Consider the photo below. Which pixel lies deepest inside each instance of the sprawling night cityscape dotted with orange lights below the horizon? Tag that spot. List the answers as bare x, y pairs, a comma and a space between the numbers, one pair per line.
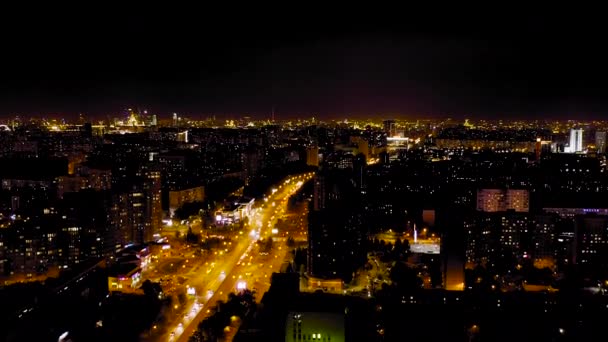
395, 213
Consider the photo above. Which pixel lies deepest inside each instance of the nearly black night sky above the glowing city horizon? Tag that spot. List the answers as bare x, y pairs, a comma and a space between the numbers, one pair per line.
386, 62
